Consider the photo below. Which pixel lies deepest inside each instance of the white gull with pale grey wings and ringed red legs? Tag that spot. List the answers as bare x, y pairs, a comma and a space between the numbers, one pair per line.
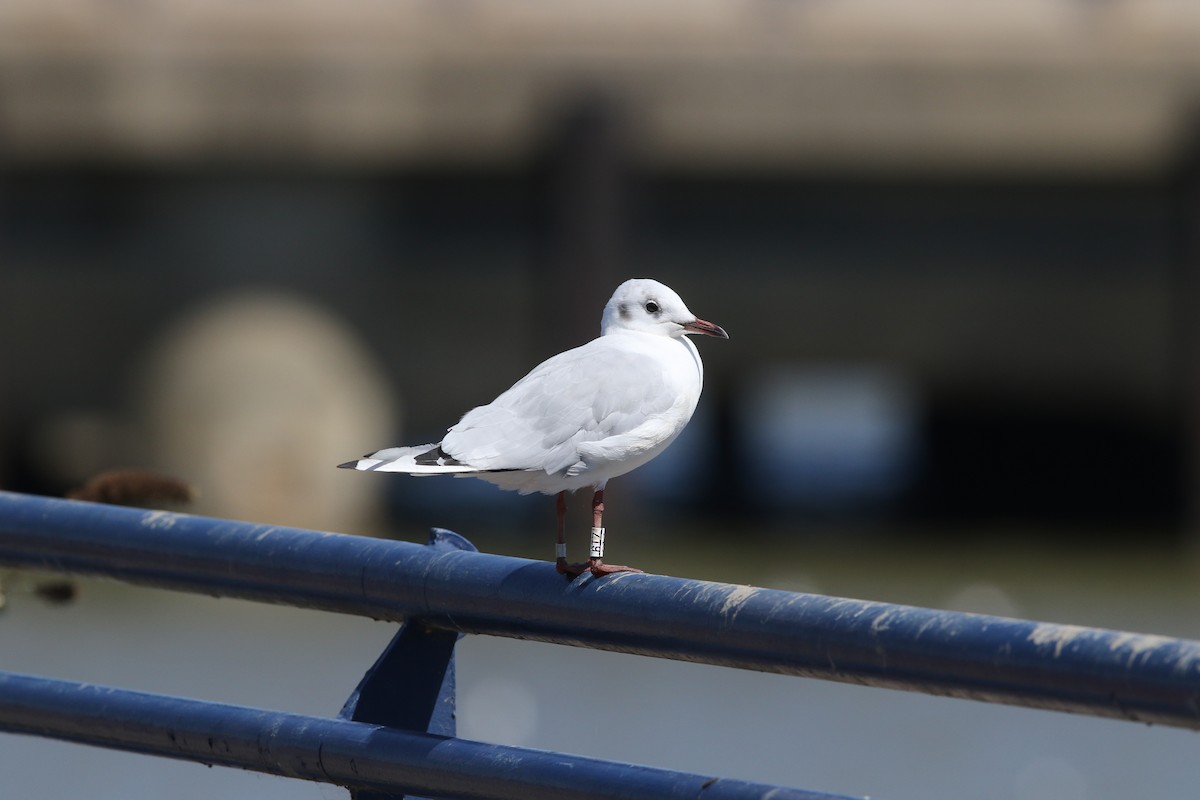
580, 418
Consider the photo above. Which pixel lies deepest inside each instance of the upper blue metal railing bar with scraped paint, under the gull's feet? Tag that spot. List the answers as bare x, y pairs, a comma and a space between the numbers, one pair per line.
1041, 665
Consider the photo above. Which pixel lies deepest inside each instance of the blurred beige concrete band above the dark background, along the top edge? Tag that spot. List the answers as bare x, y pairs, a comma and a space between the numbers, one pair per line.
863, 85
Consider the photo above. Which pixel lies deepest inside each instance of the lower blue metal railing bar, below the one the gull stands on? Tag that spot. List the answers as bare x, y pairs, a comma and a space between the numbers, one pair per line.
353, 755
